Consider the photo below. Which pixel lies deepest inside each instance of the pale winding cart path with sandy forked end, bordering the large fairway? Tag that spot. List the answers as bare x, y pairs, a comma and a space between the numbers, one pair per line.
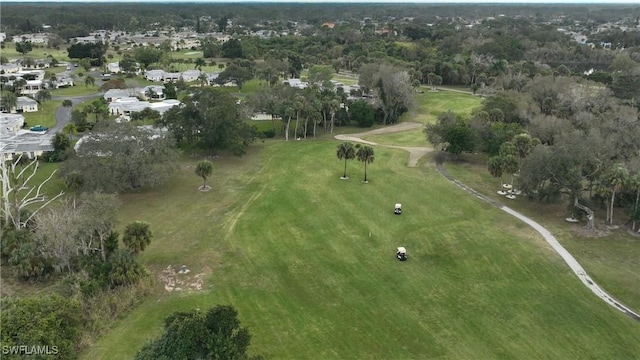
415, 153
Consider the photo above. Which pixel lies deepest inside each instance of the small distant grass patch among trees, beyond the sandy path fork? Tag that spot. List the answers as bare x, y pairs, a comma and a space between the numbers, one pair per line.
432, 104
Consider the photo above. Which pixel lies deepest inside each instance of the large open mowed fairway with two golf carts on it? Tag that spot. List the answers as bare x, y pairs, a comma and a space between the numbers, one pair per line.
309, 262
